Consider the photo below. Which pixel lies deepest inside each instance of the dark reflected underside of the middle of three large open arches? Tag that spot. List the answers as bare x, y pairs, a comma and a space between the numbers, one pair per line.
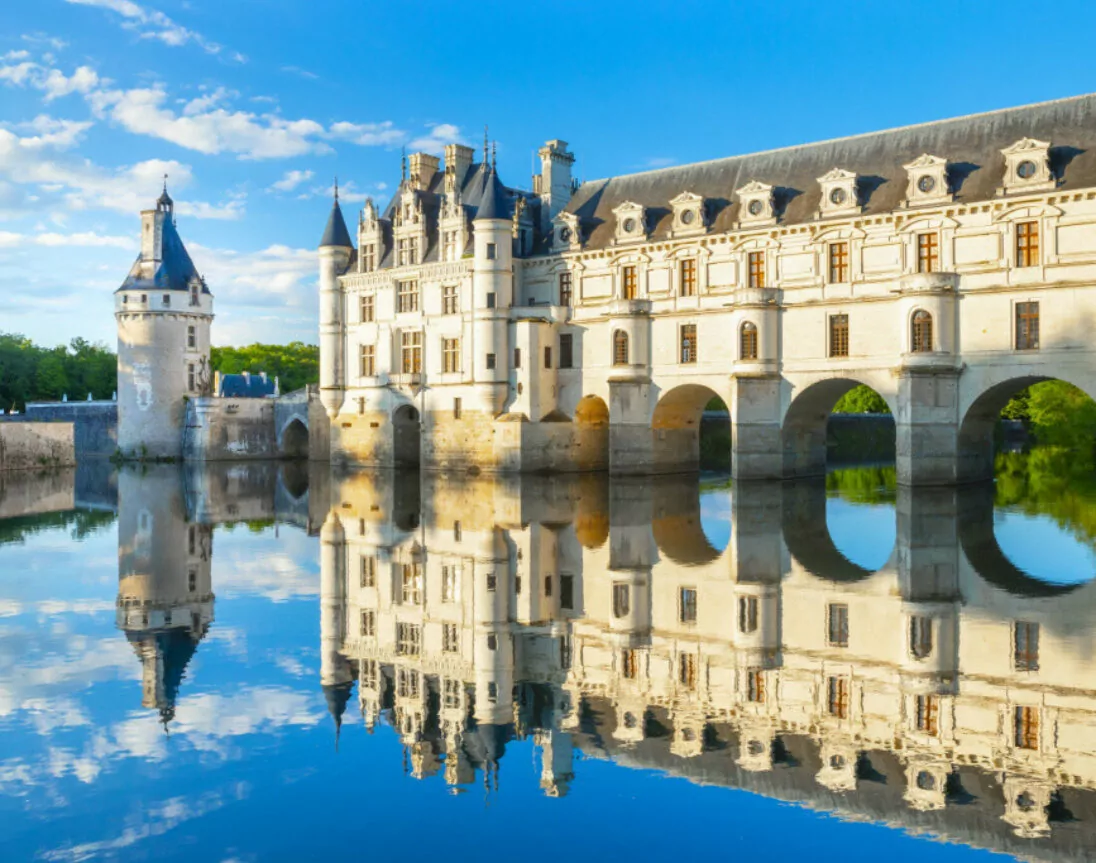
808, 539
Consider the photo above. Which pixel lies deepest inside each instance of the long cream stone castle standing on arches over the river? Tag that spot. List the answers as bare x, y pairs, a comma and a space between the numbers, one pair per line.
577, 326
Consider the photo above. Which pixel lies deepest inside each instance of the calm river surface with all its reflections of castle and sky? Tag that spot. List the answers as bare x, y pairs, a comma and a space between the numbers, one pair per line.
269, 663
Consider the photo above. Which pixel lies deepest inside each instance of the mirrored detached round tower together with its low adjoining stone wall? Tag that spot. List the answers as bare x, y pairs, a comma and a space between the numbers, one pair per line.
166, 518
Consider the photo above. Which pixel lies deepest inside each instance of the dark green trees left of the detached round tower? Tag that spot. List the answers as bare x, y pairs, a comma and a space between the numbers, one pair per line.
29, 372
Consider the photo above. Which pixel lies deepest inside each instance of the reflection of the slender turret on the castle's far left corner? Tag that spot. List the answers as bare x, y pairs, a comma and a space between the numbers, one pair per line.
336, 674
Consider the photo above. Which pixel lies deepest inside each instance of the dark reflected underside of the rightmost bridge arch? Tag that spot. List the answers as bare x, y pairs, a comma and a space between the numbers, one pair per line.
979, 542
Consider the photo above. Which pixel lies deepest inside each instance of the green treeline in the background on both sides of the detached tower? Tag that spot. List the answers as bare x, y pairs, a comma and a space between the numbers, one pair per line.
32, 373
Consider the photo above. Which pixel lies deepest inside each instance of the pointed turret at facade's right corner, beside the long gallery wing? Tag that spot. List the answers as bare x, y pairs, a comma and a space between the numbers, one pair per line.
493, 288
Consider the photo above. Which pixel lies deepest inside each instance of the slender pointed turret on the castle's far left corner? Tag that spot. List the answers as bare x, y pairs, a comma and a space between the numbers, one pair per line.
336, 252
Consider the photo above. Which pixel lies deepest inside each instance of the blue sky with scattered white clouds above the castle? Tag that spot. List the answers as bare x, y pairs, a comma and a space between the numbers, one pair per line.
254, 107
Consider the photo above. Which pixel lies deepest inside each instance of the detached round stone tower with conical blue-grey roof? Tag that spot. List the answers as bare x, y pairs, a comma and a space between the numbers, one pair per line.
164, 312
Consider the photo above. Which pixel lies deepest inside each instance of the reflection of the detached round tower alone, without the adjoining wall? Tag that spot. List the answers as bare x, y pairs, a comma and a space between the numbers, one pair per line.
166, 598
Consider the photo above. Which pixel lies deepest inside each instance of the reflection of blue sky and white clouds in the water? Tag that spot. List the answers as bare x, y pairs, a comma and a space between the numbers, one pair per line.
249, 771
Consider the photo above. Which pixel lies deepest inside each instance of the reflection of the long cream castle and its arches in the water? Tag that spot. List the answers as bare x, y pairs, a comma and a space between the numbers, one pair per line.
945, 692
